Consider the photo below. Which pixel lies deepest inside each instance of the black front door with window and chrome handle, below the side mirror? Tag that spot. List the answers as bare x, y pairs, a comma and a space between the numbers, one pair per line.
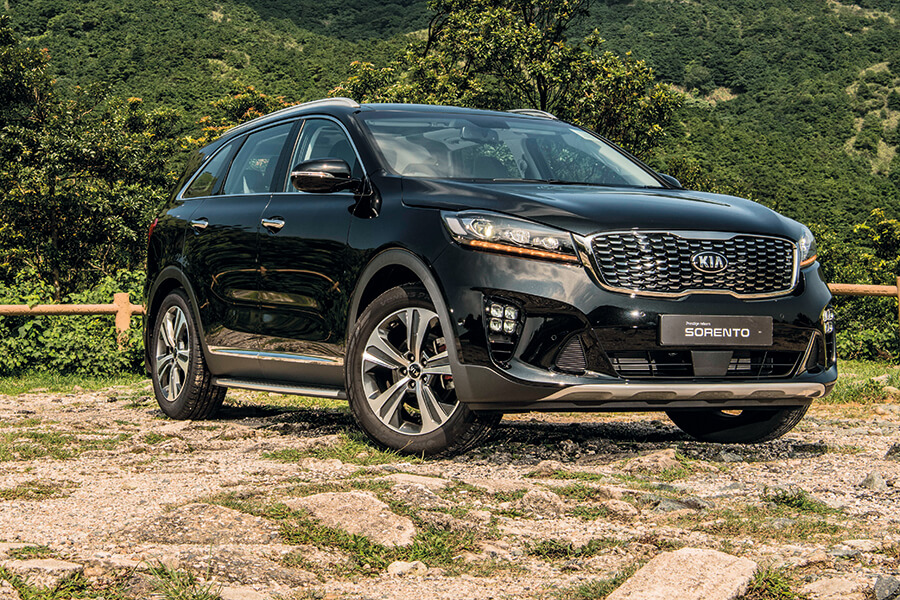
303, 256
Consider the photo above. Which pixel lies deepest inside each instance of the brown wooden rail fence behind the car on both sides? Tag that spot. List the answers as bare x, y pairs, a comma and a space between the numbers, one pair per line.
123, 309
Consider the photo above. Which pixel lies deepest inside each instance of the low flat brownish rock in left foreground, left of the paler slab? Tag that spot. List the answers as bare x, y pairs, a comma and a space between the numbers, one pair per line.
205, 524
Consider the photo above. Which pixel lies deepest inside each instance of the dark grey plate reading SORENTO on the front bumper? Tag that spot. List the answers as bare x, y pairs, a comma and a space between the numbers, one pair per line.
714, 331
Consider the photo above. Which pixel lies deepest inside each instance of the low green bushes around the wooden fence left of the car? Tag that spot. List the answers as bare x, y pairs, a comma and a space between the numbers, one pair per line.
83, 345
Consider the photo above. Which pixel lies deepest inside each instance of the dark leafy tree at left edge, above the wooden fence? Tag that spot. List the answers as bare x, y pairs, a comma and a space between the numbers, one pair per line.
81, 178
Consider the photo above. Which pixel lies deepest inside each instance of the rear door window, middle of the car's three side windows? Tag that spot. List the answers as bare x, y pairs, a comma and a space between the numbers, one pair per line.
254, 166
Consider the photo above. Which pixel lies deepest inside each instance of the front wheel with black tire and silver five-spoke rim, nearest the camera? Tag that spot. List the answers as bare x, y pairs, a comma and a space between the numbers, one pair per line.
381, 371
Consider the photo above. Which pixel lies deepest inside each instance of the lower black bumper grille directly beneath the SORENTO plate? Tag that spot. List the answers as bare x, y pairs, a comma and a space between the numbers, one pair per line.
744, 364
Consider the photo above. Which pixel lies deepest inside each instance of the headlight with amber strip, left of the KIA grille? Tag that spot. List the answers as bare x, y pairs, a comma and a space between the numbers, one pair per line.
493, 232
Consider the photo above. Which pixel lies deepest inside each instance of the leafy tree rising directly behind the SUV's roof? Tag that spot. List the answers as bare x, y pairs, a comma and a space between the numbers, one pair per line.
502, 54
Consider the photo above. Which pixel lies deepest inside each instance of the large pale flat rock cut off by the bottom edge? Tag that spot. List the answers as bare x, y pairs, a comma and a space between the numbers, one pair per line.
689, 574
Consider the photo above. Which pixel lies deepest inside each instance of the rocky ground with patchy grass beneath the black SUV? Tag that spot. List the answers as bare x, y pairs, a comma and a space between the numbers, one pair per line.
100, 496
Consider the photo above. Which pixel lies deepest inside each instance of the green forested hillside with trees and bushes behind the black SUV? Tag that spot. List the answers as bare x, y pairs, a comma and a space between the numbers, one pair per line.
793, 103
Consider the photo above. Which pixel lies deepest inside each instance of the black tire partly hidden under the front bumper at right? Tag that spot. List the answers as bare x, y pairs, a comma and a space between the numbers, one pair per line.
749, 426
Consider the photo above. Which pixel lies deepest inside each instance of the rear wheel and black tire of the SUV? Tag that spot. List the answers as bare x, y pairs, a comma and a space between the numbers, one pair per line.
181, 381
